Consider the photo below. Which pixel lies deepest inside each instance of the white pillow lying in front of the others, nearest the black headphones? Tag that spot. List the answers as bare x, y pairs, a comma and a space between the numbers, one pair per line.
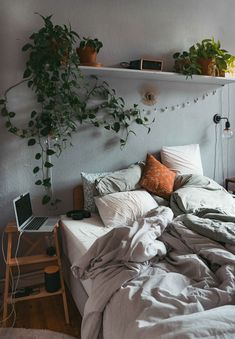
123, 208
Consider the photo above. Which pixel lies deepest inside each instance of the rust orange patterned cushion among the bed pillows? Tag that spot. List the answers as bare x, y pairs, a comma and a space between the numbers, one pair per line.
157, 178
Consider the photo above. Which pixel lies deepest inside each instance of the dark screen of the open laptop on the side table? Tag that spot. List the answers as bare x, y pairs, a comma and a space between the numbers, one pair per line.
23, 209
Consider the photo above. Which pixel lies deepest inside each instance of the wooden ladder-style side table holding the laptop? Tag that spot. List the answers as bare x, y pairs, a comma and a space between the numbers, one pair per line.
11, 231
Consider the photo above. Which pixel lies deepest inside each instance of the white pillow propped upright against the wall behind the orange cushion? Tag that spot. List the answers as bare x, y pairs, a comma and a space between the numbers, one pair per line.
183, 159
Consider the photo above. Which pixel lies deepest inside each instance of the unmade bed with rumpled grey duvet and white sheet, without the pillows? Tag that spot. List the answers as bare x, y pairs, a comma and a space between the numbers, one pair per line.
169, 274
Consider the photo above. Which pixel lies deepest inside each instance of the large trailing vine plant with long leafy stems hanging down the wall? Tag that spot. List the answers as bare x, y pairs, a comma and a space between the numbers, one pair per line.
63, 98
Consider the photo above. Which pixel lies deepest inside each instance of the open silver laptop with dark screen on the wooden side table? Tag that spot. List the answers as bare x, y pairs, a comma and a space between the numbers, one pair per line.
25, 219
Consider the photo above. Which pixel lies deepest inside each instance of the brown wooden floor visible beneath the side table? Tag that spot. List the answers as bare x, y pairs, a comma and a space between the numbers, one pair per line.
48, 313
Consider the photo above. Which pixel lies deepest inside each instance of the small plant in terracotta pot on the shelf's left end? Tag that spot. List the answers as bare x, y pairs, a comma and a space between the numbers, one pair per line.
88, 50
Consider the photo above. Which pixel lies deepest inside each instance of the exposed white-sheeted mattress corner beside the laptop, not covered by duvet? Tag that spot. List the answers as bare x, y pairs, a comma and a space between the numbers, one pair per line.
78, 236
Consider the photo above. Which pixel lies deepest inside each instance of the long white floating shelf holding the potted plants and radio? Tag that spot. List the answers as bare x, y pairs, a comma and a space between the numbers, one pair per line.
124, 73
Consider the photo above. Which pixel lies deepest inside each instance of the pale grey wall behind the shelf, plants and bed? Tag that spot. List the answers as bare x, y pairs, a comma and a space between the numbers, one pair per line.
129, 29
